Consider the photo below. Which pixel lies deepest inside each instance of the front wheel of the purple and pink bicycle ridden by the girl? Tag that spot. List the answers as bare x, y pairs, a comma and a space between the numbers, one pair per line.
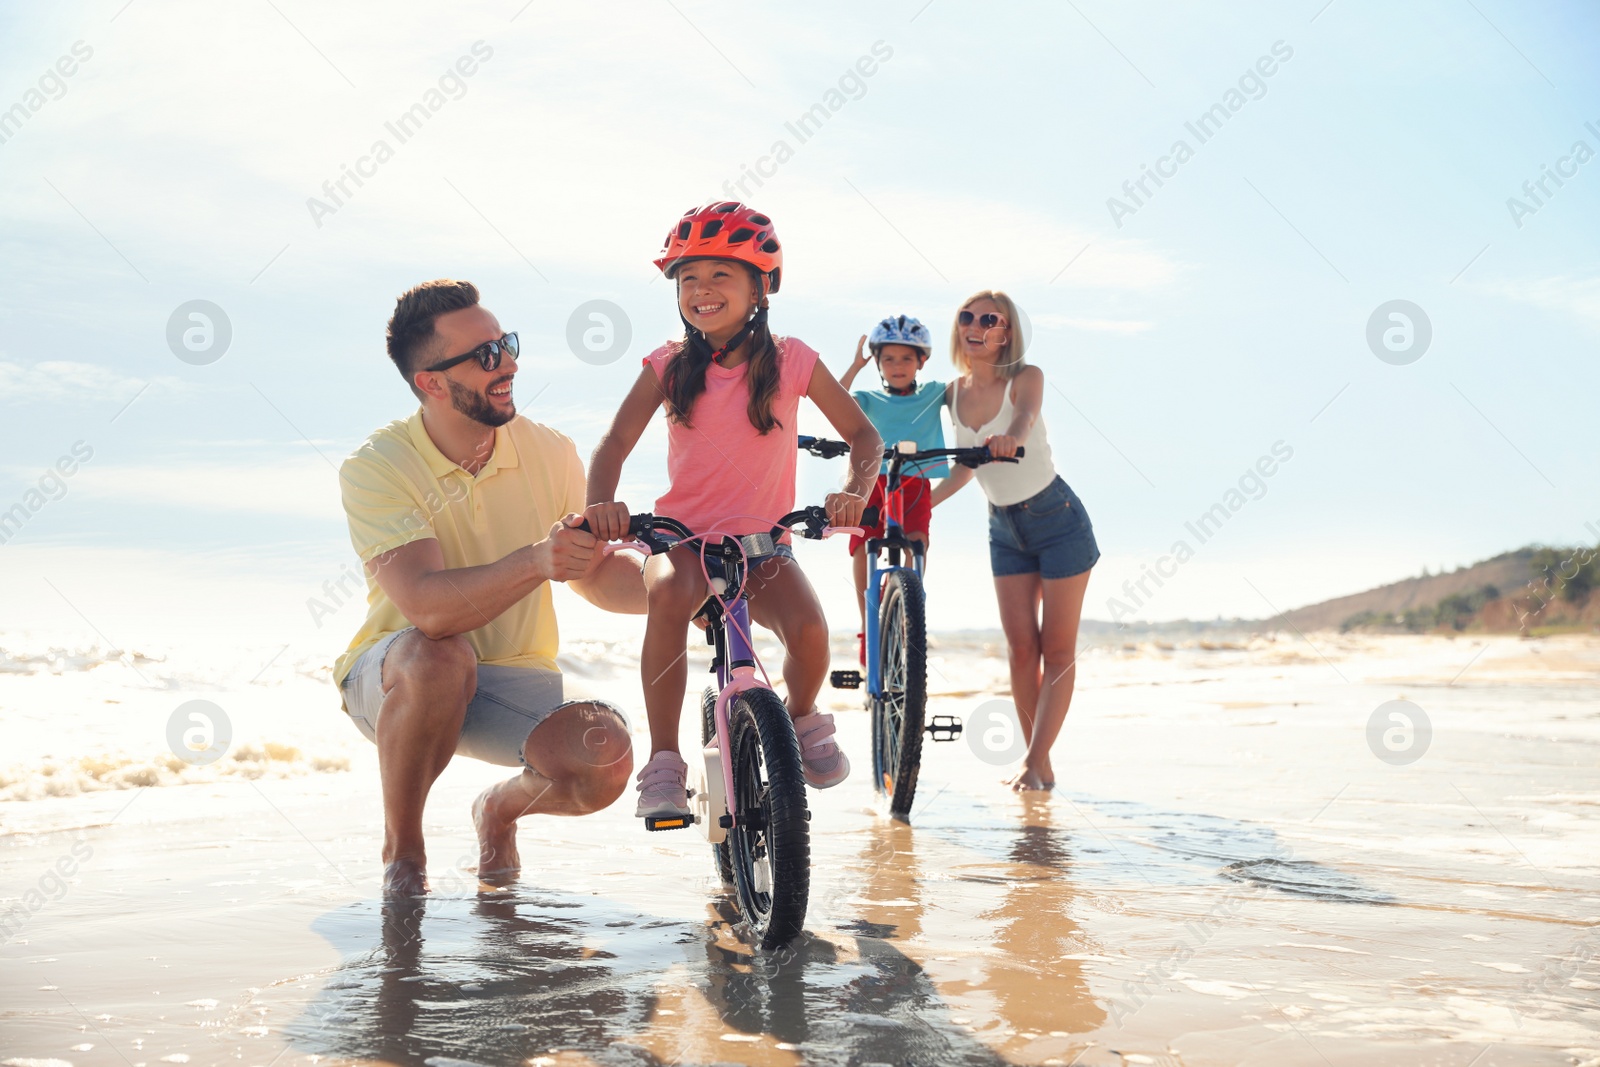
770, 845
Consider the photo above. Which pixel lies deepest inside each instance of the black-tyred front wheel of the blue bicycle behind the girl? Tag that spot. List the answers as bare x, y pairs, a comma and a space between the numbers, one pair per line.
903, 676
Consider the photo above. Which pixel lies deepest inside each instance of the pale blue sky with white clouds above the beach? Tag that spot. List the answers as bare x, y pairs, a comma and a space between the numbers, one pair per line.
1358, 154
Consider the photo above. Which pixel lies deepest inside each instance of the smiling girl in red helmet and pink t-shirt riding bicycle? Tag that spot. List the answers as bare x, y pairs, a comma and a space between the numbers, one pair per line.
732, 394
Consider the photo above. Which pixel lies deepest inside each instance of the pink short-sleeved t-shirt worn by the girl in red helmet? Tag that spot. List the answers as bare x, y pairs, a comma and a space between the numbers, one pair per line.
722, 470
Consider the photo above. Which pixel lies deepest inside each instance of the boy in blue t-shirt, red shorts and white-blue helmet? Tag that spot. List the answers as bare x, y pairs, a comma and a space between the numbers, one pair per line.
905, 410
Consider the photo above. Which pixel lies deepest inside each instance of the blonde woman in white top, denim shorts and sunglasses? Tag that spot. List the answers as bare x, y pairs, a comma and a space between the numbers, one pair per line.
1041, 541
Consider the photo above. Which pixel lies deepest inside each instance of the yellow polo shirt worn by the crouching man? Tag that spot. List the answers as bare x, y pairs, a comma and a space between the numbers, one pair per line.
399, 489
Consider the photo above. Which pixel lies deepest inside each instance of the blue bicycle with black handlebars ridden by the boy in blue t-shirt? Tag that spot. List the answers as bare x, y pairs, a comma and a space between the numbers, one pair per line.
897, 641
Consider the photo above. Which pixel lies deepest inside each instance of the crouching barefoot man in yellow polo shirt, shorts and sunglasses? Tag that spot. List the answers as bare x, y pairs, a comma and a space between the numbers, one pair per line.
458, 650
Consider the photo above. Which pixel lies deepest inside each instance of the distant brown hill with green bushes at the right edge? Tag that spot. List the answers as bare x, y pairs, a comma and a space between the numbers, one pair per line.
1535, 588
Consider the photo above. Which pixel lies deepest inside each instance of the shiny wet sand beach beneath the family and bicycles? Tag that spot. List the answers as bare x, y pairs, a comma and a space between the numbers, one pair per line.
1228, 874
